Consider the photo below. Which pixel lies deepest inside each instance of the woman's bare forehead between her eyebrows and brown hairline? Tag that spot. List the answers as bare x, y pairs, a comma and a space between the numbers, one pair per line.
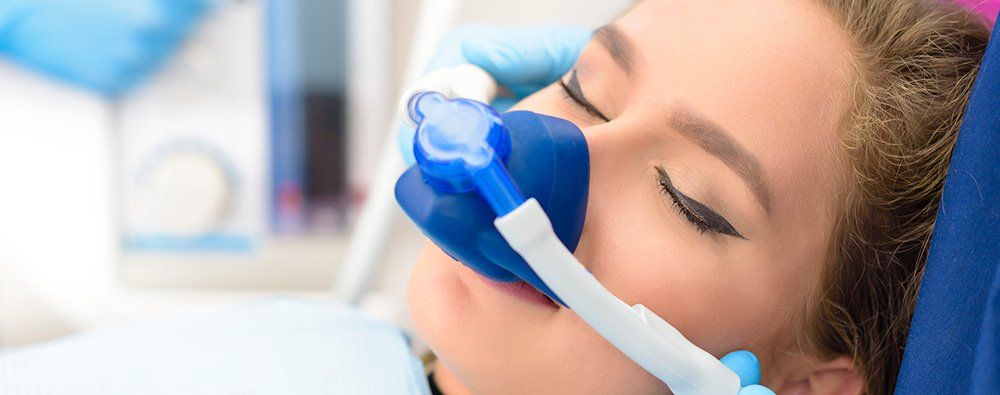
773, 73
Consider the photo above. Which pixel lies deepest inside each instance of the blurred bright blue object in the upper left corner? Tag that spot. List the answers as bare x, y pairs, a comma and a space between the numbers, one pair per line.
103, 45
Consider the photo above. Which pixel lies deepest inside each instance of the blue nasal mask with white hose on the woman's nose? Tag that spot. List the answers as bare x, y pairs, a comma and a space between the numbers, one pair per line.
463, 146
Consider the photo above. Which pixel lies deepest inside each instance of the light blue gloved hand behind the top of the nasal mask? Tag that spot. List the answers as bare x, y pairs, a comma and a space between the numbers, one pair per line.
522, 60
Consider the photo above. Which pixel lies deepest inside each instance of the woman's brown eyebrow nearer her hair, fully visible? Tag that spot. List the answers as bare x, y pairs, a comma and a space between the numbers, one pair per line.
720, 144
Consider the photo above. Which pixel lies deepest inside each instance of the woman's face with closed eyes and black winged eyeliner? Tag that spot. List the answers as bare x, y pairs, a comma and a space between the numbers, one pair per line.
712, 128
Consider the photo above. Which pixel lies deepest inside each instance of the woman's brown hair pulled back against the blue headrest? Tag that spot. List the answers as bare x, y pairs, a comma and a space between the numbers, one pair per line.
915, 63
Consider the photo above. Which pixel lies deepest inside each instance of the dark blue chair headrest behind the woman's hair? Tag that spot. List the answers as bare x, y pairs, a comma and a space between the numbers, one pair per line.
954, 341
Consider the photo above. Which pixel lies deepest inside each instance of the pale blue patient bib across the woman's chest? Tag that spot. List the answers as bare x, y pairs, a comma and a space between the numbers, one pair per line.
279, 346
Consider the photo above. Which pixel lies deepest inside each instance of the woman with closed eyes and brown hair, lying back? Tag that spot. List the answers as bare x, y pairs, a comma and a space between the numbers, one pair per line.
764, 176
